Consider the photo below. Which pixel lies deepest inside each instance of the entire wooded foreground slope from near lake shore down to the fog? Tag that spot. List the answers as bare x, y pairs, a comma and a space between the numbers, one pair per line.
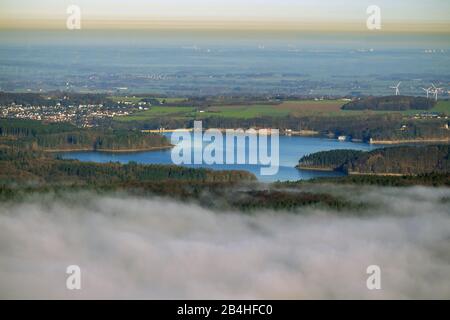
31, 172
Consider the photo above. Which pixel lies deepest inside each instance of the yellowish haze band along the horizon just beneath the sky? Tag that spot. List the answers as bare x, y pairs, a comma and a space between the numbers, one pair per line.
226, 25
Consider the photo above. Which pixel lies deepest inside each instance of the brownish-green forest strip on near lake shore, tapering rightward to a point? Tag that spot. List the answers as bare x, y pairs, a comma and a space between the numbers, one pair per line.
41, 168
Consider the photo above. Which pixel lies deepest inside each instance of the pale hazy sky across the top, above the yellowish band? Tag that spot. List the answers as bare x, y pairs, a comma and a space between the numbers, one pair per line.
43, 13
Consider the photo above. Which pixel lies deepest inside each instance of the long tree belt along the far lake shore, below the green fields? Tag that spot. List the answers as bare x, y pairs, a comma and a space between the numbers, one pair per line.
379, 127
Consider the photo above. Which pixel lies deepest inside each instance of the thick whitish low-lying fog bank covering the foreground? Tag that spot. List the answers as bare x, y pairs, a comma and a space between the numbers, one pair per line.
154, 248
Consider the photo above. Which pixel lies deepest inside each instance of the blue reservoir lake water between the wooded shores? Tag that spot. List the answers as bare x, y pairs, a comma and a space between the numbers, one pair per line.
291, 149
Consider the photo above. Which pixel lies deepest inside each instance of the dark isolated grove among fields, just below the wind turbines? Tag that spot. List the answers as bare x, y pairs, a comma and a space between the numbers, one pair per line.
391, 103
